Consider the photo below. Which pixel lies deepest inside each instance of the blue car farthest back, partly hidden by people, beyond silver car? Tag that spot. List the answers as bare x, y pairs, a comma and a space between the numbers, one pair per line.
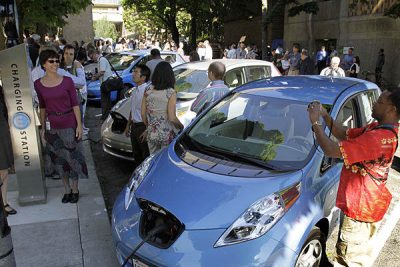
124, 63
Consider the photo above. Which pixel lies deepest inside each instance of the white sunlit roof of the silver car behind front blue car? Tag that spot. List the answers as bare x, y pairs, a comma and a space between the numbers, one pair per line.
229, 63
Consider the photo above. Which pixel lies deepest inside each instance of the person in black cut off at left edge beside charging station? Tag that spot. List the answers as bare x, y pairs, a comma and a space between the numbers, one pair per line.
6, 153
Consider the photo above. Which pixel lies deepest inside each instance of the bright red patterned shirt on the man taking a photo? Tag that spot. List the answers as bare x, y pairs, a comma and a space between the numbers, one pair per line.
367, 151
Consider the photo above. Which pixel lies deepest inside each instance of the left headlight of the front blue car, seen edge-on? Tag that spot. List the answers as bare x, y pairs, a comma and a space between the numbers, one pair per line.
137, 178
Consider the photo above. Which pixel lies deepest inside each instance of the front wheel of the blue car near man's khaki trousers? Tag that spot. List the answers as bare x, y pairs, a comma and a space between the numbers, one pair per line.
312, 253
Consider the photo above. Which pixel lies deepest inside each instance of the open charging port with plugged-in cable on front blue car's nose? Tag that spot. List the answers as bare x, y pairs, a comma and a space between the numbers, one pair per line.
154, 216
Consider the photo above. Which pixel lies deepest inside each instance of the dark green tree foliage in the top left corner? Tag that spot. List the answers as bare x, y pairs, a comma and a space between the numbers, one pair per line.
43, 15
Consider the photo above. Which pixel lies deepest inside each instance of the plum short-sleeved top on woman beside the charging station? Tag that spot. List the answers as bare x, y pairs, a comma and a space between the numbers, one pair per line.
60, 98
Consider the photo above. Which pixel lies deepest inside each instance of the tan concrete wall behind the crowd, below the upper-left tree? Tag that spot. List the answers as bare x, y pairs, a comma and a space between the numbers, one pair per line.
79, 27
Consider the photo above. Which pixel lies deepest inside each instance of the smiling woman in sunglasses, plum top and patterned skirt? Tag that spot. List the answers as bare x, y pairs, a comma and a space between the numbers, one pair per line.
60, 118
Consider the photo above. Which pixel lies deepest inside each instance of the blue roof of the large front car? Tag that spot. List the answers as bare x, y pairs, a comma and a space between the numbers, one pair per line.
304, 88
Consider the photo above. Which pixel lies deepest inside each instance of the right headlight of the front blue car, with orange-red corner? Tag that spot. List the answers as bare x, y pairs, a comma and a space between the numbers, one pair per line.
260, 217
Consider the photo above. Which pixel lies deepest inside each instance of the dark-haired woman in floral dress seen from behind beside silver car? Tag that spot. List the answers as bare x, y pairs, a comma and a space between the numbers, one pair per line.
159, 109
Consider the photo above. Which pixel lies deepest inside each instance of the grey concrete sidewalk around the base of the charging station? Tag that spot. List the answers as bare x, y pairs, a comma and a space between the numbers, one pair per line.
59, 235
